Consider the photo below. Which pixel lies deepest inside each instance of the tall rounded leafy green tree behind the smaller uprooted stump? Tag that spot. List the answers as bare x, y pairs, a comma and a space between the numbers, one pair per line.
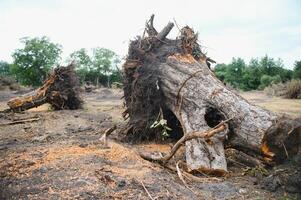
33, 62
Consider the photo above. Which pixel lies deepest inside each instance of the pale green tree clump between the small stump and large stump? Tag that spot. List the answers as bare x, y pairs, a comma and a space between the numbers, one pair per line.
98, 68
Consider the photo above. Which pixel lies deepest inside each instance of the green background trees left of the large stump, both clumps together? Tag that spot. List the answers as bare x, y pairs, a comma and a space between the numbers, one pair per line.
32, 63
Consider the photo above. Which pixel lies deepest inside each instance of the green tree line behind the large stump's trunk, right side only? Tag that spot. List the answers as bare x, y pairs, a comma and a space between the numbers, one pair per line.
257, 74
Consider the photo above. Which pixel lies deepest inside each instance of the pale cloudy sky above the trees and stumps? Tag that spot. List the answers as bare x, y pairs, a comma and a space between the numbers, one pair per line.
227, 29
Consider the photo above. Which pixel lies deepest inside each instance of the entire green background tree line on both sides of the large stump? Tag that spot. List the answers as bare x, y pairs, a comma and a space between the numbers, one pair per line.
99, 66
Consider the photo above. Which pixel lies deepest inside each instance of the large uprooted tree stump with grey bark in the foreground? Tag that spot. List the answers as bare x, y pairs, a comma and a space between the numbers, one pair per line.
173, 77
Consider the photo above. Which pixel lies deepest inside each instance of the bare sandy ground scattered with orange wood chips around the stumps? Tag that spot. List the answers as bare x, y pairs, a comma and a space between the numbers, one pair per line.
60, 156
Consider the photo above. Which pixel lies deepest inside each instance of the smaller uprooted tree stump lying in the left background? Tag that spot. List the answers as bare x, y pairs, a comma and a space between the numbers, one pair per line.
61, 90
